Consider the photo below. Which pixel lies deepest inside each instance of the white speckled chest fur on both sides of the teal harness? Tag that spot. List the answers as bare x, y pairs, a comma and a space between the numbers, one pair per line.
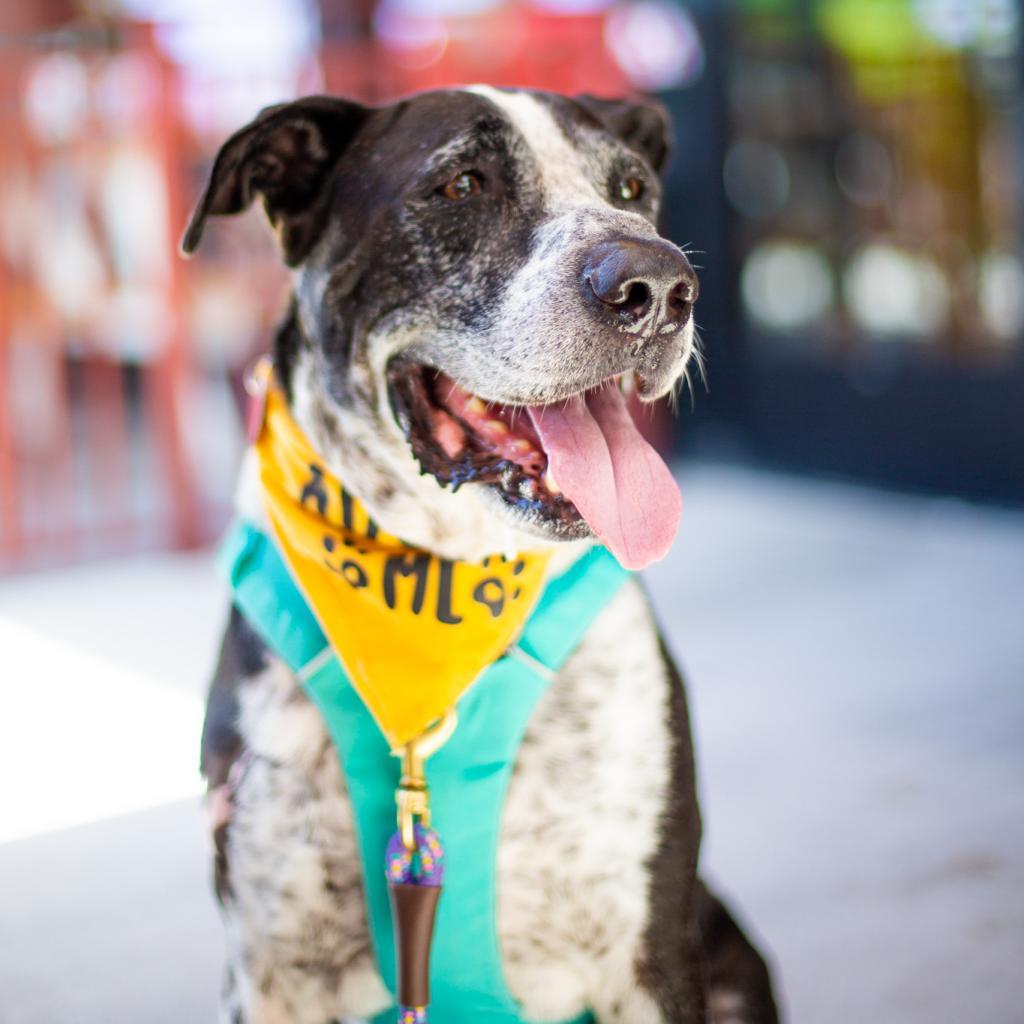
579, 829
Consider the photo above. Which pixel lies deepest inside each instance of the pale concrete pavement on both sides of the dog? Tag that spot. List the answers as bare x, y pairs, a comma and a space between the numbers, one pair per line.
857, 673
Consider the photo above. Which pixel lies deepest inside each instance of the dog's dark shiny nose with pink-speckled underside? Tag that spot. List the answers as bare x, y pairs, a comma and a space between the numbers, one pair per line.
629, 277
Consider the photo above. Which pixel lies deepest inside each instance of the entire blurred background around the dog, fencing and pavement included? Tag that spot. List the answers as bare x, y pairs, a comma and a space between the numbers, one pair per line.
848, 588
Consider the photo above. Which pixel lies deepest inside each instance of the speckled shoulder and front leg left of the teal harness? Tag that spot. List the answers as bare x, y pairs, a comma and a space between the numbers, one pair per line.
286, 867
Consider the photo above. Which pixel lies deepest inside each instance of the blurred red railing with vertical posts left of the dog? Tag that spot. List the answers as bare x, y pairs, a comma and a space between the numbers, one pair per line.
92, 451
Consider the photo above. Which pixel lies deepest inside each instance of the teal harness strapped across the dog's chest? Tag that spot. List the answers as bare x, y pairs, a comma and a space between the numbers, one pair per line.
468, 777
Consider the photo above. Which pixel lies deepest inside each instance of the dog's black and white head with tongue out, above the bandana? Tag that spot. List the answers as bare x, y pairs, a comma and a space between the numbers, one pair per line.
478, 279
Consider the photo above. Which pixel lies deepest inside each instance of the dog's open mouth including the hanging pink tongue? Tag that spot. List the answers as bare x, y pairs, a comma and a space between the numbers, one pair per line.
575, 467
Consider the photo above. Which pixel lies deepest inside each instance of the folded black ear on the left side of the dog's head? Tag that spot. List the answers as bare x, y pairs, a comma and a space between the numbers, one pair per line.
287, 157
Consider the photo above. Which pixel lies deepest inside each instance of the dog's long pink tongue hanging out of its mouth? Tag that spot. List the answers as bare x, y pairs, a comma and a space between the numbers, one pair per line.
619, 484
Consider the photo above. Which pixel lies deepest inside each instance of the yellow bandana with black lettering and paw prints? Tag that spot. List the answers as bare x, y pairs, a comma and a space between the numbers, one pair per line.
413, 631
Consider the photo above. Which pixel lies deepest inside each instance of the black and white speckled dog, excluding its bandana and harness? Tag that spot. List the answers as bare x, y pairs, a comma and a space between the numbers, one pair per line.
500, 246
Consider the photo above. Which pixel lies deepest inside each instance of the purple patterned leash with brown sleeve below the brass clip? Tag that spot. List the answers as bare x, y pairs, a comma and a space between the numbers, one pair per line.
414, 877
